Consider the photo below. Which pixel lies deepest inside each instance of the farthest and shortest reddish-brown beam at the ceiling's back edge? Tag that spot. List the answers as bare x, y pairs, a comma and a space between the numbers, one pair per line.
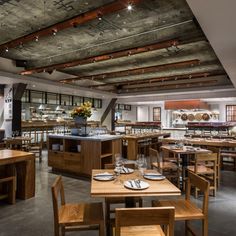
169, 86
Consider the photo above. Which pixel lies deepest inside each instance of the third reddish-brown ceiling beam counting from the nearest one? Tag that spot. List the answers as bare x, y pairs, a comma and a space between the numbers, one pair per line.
137, 71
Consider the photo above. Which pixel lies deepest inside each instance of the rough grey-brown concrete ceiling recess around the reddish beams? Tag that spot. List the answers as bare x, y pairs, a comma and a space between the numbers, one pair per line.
150, 22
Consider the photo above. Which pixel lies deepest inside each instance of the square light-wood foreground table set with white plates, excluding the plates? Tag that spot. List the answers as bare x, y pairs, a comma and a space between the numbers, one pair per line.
113, 189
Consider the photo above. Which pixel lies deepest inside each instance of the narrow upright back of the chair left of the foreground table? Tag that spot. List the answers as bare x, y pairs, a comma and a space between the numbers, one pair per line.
58, 196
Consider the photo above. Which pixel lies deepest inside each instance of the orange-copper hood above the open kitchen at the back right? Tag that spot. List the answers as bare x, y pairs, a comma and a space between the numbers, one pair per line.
186, 104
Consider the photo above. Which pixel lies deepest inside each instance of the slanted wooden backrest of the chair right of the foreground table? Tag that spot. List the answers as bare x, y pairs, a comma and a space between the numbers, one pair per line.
195, 180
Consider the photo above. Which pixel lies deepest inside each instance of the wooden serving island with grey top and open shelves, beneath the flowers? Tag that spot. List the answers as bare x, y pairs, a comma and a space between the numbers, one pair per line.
79, 155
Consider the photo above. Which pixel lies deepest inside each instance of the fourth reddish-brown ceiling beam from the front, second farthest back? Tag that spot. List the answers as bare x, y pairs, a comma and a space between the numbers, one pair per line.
162, 79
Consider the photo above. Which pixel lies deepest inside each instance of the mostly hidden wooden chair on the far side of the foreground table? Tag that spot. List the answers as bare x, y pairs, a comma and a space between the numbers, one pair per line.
110, 222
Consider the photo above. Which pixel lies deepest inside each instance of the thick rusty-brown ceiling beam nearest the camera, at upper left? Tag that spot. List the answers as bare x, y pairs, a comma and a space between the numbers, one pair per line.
73, 22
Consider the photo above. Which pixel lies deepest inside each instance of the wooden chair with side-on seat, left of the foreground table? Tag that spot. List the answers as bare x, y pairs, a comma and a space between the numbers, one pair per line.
73, 217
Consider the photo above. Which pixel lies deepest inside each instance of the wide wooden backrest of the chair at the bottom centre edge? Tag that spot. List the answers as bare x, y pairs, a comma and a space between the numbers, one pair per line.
145, 216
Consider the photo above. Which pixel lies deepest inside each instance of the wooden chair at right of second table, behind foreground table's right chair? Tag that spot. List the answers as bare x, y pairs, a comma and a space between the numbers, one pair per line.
206, 166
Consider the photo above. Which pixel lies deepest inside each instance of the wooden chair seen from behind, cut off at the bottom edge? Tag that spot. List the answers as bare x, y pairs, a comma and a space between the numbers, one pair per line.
145, 221
